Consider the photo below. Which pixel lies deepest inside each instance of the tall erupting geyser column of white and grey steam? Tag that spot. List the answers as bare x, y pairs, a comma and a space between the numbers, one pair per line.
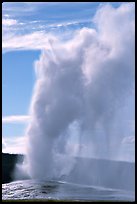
81, 86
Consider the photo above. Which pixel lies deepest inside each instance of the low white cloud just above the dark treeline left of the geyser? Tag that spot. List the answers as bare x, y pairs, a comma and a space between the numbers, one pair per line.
14, 145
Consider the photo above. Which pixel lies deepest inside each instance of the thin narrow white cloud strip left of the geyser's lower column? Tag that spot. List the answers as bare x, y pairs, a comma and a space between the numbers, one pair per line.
16, 119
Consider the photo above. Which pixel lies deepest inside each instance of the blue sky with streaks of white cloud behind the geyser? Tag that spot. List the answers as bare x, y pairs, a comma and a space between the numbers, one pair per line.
26, 29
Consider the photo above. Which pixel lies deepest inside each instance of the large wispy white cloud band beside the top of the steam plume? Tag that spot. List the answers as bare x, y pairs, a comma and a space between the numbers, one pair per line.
17, 36
